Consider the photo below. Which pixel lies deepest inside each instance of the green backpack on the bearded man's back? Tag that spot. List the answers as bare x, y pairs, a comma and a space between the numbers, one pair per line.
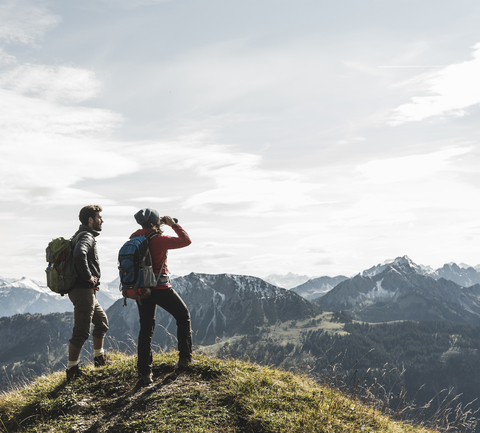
61, 269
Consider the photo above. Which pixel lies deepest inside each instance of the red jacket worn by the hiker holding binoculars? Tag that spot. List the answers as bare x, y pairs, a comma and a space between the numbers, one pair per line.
160, 244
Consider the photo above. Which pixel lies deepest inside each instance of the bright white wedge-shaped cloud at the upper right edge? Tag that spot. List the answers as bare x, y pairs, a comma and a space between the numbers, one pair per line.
450, 92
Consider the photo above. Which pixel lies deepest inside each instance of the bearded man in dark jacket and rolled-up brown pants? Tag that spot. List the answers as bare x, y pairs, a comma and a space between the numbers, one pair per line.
87, 310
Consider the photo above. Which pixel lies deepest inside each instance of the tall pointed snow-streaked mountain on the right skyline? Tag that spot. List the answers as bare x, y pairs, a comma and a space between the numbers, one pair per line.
401, 291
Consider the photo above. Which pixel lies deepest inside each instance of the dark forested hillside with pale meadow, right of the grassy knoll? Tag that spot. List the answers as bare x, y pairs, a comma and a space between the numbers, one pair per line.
431, 362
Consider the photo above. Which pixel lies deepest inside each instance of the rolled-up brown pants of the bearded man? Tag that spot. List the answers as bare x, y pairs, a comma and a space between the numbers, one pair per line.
87, 310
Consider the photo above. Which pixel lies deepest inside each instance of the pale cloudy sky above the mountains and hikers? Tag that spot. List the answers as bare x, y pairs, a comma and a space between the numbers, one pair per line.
307, 136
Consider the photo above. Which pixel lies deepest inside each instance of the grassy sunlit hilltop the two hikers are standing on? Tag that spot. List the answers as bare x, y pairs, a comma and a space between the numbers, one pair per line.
211, 396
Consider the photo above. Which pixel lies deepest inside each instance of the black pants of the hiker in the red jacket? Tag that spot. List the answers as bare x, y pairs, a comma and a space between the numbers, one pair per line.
171, 302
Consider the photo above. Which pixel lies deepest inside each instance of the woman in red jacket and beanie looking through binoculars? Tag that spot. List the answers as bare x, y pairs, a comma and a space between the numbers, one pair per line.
163, 295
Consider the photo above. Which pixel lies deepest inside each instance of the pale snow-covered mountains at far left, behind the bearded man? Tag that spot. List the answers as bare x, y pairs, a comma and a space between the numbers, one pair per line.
28, 296
